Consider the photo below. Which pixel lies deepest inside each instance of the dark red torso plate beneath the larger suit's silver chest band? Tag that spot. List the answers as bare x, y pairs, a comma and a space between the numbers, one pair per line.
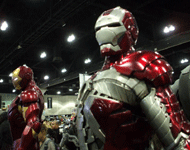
120, 125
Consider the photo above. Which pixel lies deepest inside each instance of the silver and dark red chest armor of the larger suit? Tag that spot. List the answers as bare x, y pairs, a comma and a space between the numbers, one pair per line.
111, 110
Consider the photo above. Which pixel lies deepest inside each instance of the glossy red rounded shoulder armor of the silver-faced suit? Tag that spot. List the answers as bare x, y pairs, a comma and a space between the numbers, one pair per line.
148, 66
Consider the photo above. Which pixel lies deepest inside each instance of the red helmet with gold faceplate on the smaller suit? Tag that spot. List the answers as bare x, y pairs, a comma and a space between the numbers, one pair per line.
21, 77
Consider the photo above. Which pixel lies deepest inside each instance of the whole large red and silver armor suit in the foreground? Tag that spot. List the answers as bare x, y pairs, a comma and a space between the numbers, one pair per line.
129, 100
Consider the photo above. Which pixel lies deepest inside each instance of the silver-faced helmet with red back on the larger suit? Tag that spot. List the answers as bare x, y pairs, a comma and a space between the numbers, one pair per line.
116, 31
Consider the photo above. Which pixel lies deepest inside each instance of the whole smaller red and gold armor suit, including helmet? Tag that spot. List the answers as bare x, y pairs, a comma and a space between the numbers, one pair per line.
26, 110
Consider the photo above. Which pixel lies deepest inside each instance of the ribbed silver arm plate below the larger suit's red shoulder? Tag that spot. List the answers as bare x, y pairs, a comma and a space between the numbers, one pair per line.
158, 118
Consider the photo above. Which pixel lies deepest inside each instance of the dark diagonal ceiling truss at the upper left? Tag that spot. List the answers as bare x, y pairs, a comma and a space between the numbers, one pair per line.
41, 28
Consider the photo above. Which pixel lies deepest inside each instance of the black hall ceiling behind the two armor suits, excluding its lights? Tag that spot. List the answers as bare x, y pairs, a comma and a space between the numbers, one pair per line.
37, 26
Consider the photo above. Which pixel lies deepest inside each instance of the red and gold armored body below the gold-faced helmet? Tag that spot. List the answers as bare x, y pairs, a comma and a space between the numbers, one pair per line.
25, 117
